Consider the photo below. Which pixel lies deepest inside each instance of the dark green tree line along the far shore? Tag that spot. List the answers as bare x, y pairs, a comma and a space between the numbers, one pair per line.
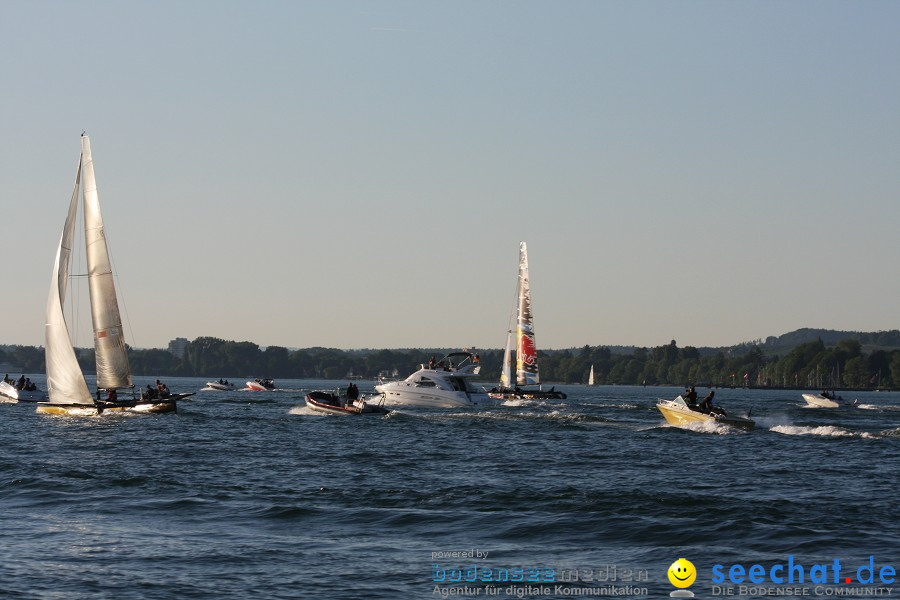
811, 365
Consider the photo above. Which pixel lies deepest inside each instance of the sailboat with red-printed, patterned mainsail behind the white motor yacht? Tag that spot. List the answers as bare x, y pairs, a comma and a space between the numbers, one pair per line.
526, 351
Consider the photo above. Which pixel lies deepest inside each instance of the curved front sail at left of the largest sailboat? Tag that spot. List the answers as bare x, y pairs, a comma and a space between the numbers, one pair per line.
65, 382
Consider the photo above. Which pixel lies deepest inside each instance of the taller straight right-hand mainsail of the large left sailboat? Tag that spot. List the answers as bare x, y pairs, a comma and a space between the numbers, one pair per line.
113, 370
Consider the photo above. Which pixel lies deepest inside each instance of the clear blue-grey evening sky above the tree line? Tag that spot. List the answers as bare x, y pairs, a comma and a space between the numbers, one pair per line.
358, 174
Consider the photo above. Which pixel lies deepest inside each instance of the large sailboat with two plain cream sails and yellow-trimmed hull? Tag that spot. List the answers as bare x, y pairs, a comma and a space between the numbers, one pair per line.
66, 385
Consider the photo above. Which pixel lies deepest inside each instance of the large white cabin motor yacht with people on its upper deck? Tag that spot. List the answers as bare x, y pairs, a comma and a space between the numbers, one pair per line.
446, 384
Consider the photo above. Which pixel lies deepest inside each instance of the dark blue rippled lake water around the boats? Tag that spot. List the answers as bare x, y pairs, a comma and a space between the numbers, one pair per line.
243, 495
